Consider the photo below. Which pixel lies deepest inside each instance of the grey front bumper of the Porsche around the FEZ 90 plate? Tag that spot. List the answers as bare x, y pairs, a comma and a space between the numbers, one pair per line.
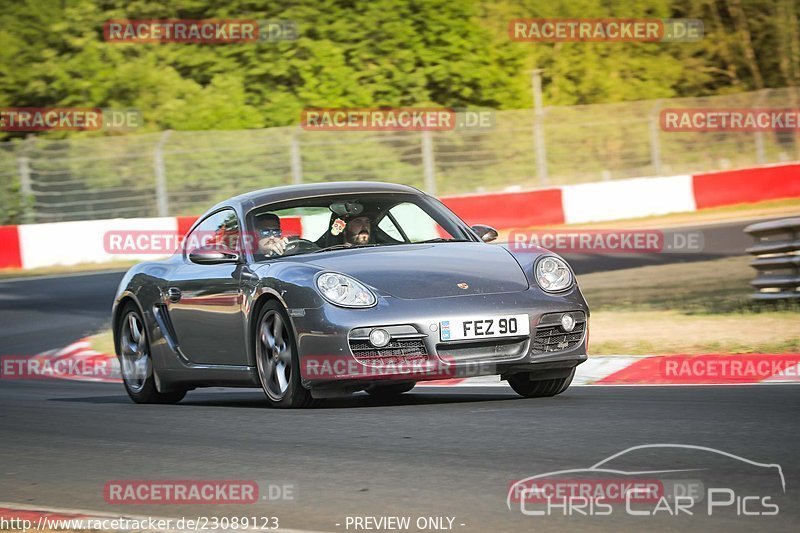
327, 360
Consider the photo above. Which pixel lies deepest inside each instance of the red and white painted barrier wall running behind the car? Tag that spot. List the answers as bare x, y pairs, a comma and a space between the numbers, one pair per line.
69, 243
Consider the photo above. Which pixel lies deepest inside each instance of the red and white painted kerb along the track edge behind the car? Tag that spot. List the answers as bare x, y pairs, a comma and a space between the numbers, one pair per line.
80, 362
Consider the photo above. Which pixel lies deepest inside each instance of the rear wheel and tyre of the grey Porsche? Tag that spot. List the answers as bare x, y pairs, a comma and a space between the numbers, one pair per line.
136, 362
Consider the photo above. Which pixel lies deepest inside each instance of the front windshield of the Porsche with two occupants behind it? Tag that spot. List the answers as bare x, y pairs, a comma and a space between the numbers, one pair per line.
326, 223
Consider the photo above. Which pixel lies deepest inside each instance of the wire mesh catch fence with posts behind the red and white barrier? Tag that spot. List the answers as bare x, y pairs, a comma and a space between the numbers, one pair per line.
183, 172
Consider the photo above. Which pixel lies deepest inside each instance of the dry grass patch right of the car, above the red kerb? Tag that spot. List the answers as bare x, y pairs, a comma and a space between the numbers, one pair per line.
700, 307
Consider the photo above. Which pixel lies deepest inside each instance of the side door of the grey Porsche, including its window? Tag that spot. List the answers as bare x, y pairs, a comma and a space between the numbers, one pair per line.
205, 300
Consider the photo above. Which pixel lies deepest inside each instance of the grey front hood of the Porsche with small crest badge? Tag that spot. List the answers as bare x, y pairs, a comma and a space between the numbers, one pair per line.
420, 271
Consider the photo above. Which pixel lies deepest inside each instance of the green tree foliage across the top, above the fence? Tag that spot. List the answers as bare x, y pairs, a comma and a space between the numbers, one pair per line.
453, 53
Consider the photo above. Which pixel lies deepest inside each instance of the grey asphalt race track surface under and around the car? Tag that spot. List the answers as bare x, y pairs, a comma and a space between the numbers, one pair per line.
435, 452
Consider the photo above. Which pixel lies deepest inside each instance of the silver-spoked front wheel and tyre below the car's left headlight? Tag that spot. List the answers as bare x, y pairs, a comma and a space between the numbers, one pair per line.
272, 359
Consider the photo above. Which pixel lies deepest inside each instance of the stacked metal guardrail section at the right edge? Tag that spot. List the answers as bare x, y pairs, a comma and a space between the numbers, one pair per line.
777, 251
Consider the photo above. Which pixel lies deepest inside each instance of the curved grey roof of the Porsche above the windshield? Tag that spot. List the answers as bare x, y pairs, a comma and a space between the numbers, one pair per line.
260, 197
